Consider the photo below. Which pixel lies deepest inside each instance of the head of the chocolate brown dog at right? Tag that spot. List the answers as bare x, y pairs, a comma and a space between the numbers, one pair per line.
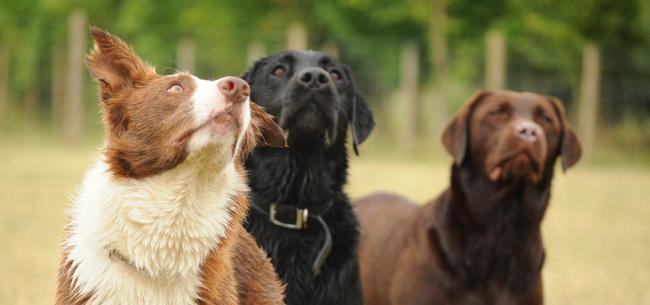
512, 136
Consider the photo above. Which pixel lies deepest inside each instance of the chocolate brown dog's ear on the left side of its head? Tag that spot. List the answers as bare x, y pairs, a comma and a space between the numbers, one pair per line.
456, 134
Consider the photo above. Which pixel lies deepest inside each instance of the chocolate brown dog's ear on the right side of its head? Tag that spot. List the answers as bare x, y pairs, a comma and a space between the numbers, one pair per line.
570, 148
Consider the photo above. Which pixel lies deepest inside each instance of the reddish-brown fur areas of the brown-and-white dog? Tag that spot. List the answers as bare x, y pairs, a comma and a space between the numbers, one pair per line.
143, 127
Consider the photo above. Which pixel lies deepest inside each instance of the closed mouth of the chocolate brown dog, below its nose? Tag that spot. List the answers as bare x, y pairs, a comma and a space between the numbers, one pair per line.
520, 164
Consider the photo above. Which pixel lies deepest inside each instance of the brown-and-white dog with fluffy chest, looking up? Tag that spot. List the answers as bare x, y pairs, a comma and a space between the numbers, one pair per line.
158, 219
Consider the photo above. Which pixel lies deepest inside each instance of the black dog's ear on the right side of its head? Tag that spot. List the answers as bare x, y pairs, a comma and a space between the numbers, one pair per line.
362, 121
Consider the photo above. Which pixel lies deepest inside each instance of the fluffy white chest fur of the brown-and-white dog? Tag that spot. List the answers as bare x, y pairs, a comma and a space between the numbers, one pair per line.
164, 226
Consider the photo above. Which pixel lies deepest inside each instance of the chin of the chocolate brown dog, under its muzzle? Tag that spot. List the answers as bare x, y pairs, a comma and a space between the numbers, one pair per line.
522, 166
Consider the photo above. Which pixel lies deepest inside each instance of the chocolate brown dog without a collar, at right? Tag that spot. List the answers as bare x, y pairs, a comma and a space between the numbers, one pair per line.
480, 241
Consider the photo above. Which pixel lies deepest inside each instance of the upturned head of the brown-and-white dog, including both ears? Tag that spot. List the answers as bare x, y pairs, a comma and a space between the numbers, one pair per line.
155, 122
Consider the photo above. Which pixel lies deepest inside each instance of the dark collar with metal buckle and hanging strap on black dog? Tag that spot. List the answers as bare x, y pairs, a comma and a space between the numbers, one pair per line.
302, 216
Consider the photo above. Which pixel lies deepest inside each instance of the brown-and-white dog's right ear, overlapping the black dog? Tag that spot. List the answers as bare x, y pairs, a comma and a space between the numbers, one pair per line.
267, 131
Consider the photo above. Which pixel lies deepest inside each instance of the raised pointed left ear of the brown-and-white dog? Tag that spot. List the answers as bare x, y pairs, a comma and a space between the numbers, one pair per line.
114, 65
